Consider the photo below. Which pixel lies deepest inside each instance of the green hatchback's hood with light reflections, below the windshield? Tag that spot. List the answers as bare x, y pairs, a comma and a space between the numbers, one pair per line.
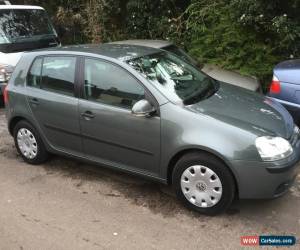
247, 110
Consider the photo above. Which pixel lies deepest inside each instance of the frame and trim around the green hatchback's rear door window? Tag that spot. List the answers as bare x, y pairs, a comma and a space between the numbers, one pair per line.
76, 93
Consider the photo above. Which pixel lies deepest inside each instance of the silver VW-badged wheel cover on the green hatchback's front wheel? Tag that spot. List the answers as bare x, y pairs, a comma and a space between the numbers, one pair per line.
201, 186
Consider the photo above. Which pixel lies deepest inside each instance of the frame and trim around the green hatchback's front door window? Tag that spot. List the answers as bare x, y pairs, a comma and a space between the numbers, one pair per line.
148, 95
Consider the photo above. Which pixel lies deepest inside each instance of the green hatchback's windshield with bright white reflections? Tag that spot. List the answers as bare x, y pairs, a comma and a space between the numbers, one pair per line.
180, 81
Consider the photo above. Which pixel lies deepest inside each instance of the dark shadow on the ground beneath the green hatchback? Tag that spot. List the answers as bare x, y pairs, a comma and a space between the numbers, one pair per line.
158, 198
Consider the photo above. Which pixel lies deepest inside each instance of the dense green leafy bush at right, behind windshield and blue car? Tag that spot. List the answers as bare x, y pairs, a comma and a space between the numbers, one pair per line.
248, 36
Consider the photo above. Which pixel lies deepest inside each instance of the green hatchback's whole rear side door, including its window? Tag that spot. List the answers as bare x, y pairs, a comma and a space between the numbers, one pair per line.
51, 94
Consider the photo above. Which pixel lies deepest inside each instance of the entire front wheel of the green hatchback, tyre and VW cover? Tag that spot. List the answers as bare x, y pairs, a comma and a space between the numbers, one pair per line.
203, 183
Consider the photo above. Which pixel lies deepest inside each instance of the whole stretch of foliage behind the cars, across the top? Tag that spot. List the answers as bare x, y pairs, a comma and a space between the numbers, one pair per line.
248, 36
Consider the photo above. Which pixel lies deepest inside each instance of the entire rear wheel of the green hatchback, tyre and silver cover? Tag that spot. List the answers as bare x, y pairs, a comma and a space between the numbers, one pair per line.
29, 143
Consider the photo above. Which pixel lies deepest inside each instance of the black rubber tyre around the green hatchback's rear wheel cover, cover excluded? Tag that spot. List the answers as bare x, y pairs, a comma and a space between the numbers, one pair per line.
42, 154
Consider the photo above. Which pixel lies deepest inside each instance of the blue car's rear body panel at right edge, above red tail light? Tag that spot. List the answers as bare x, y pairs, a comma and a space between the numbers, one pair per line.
288, 71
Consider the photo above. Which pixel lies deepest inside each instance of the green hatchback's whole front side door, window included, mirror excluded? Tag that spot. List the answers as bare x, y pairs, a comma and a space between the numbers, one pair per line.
111, 134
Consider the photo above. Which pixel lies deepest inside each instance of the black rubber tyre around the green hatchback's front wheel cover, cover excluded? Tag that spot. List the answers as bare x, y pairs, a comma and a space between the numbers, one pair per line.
228, 184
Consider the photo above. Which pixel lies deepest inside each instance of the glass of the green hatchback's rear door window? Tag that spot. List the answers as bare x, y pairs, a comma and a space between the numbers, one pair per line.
54, 74
